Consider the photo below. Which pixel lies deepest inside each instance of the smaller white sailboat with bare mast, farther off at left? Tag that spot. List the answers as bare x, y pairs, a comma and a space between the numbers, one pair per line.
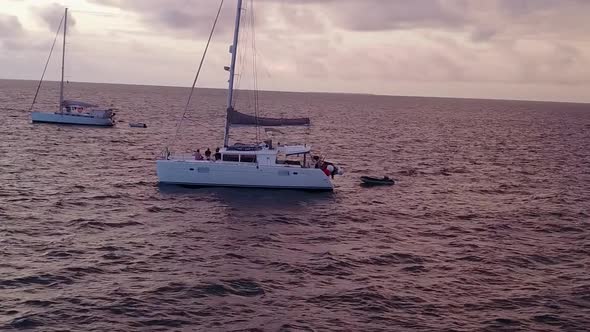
71, 111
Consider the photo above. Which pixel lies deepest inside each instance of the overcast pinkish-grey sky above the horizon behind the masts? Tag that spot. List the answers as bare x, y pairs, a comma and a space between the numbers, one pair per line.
509, 49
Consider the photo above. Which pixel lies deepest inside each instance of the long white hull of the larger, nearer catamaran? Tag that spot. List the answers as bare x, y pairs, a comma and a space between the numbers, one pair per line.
226, 174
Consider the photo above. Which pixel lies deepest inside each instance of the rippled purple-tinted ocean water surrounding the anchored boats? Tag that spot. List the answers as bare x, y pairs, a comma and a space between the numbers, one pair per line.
487, 228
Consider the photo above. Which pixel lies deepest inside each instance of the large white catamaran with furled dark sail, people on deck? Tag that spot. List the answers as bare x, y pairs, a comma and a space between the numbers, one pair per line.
259, 165
